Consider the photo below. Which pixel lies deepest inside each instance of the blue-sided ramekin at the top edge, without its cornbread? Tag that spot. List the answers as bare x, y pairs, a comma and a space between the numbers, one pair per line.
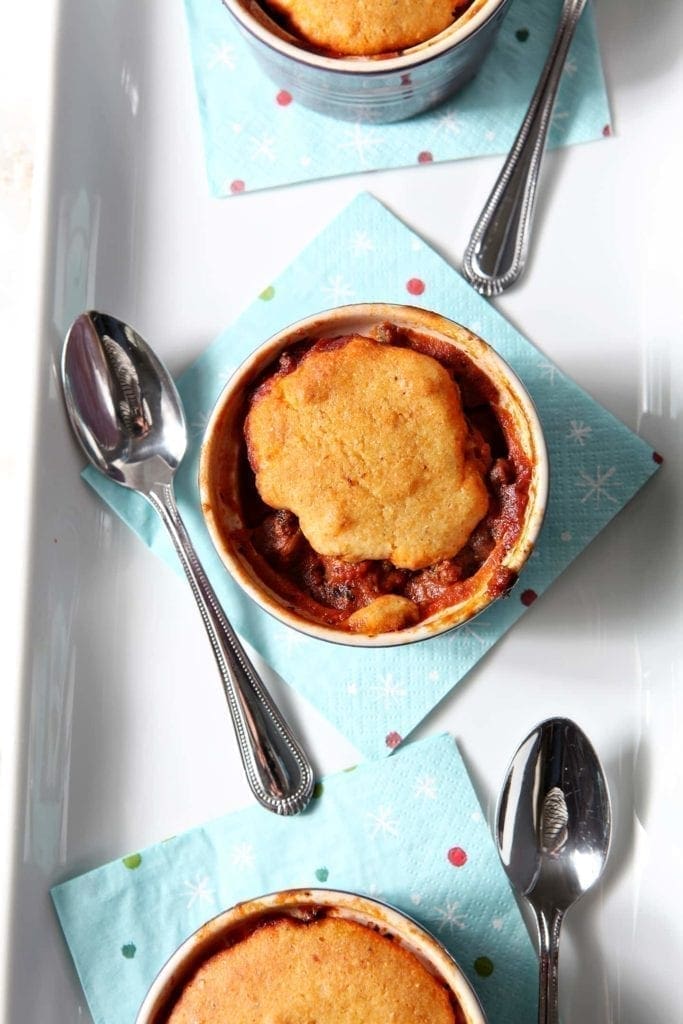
379, 90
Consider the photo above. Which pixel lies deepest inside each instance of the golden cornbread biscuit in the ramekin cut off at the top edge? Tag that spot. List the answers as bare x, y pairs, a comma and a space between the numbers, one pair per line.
367, 27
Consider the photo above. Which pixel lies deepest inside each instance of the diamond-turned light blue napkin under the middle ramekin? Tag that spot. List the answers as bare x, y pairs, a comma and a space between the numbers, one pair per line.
375, 698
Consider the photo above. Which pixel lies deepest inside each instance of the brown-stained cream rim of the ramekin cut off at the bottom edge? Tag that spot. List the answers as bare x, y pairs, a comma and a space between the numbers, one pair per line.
303, 905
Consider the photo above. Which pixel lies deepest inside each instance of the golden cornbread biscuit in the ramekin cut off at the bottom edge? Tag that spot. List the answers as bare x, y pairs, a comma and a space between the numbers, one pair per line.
327, 971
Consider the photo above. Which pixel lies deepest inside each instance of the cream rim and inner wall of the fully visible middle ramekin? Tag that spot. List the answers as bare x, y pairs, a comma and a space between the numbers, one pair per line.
224, 446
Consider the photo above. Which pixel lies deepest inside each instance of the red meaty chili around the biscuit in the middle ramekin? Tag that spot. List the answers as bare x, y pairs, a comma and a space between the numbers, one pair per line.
328, 590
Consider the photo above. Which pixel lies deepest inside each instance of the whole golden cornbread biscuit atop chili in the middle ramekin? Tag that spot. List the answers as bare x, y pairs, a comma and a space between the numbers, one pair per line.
368, 445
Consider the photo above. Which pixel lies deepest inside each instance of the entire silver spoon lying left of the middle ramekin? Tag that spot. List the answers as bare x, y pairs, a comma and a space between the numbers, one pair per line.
127, 415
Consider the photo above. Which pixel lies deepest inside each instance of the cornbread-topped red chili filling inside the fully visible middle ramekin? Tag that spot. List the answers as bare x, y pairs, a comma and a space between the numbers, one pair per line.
380, 476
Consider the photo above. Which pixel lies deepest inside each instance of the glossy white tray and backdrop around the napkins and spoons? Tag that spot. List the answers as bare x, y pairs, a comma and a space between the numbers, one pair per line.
114, 733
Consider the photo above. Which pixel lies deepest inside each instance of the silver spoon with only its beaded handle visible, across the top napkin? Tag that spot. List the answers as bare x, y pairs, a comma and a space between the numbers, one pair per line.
497, 251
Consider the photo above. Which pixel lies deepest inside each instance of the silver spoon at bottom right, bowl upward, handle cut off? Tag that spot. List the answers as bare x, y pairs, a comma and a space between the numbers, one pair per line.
553, 831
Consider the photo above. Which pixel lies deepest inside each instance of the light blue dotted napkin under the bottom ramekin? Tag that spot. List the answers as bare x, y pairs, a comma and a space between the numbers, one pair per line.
408, 831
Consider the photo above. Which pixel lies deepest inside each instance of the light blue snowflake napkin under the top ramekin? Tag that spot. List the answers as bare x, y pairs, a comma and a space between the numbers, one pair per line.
255, 138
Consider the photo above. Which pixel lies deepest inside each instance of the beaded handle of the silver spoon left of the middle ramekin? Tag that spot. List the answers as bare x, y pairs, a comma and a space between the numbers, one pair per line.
278, 771
